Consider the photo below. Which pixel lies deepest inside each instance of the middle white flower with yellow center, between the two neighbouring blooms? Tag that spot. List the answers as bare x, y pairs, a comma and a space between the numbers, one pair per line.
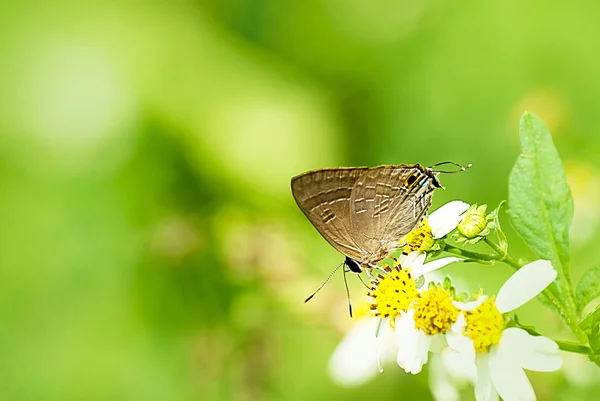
421, 328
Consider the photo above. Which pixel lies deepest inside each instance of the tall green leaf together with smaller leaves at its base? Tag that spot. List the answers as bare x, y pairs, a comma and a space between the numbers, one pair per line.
541, 211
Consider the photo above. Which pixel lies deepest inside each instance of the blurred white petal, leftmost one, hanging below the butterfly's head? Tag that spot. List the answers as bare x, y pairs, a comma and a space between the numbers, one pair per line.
358, 357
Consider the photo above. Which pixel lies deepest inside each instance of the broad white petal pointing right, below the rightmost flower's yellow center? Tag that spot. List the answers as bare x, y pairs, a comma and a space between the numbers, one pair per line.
530, 352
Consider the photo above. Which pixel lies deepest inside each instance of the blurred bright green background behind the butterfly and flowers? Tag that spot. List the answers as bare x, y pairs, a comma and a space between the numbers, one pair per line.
150, 248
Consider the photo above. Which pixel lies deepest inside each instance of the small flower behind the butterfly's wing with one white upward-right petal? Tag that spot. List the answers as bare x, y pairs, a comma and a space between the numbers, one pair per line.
439, 224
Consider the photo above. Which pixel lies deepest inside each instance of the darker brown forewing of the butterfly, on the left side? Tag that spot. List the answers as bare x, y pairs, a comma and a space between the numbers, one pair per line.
324, 198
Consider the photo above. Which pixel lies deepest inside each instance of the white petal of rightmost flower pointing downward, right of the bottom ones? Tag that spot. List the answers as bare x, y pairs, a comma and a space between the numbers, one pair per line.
509, 379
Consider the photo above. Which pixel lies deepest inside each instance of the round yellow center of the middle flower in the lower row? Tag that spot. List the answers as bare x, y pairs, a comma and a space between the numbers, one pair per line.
434, 311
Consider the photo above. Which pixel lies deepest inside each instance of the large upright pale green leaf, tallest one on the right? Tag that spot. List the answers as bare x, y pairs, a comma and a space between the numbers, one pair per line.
541, 205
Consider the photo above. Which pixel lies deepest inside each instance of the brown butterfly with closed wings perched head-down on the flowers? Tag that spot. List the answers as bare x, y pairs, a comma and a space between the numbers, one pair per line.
363, 212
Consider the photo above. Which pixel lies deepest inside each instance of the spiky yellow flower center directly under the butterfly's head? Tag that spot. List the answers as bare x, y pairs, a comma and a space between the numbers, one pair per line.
393, 292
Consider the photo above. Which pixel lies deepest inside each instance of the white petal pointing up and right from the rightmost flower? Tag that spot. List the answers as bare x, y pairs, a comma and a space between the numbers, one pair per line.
525, 285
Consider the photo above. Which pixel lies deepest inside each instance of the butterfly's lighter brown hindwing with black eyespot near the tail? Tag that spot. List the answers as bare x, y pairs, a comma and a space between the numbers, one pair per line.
387, 202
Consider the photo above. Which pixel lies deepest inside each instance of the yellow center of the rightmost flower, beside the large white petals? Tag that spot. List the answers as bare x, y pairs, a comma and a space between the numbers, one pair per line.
484, 325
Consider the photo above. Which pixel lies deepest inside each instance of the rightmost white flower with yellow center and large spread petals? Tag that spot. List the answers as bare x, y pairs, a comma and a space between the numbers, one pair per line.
500, 353
